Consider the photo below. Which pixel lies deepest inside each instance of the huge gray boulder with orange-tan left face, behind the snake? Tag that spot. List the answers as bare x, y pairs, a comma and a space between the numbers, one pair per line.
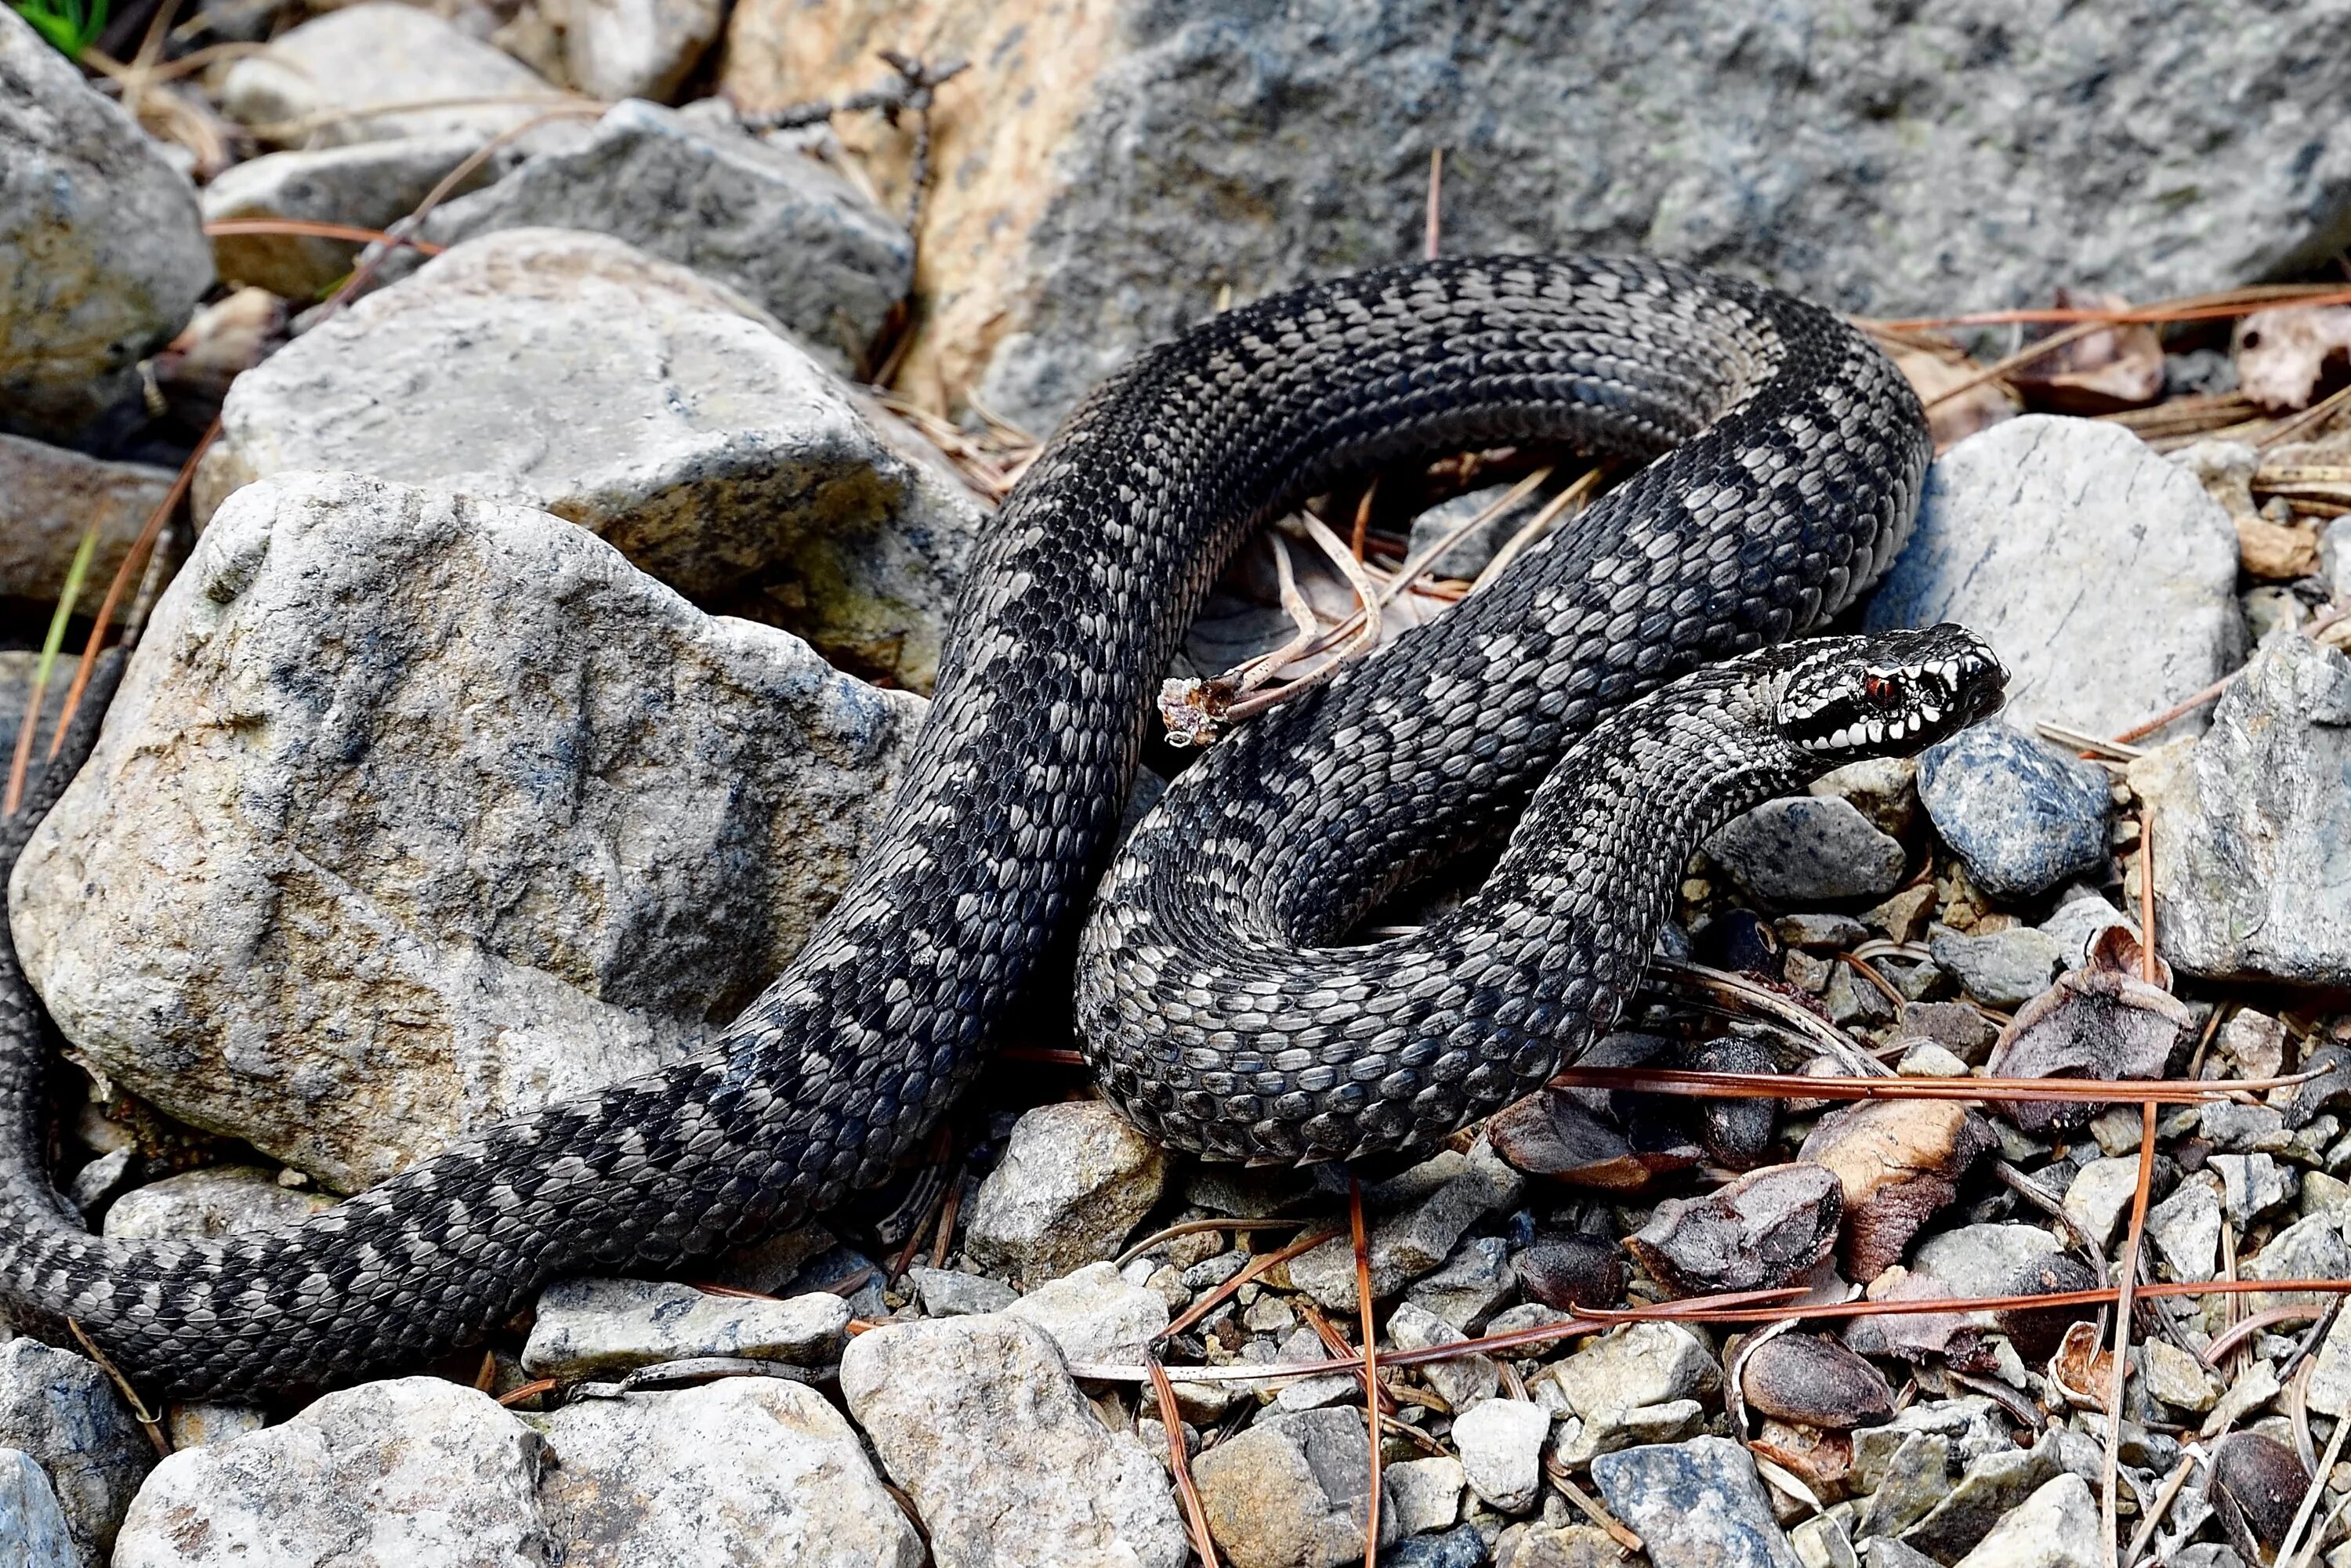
1111, 166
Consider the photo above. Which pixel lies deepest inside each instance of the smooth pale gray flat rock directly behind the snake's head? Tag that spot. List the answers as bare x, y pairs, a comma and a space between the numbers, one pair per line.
2101, 572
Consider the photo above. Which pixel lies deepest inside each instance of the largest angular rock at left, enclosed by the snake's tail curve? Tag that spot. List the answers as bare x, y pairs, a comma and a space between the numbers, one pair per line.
443, 812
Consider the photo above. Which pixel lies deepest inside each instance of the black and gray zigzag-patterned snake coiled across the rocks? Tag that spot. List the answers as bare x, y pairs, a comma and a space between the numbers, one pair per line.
1600, 706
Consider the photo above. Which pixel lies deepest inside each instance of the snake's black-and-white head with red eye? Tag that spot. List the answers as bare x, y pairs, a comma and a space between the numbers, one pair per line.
1894, 695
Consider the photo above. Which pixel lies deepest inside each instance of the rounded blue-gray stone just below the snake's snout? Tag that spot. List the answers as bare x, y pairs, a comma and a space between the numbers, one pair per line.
2021, 815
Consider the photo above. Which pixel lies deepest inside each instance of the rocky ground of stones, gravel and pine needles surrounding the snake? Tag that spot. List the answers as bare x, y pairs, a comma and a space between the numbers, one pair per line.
551, 619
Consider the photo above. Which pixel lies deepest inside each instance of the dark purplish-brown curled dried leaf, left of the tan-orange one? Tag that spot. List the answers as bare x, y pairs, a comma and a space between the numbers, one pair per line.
1757, 1233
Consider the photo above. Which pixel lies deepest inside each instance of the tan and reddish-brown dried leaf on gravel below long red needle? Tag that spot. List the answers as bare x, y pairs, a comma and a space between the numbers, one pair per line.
1898, 1162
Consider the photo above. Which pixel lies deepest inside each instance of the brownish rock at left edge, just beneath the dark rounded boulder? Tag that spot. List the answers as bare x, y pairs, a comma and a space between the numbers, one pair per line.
53, 497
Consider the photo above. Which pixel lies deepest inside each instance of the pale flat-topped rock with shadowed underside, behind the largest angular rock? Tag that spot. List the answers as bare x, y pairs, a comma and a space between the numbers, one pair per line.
645, 403
